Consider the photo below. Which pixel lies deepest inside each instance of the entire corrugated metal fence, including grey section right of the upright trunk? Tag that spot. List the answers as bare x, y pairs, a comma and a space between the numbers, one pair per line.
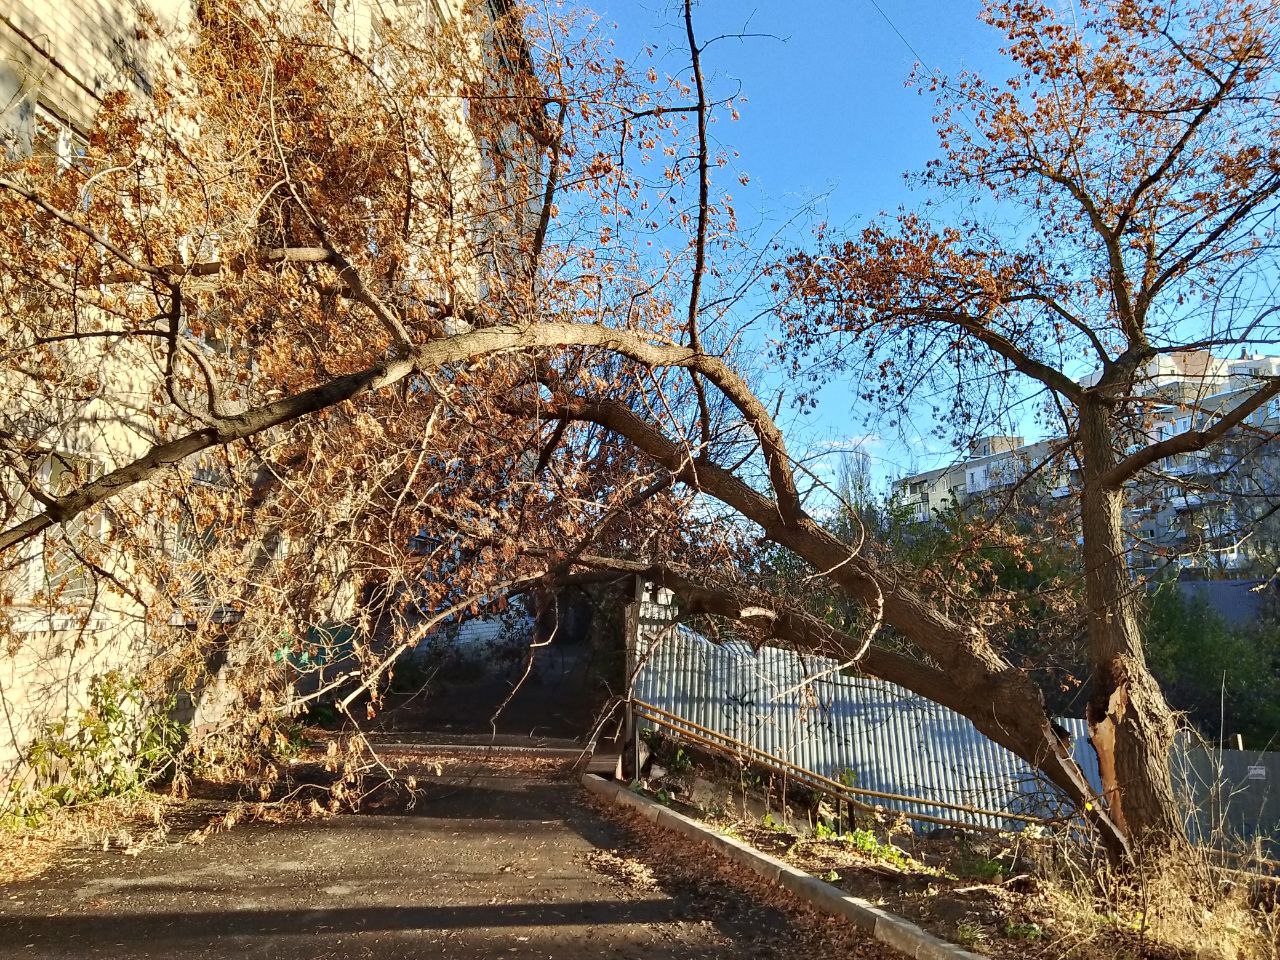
877, 737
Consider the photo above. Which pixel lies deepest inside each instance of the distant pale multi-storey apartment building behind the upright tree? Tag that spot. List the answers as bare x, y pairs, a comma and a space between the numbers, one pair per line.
1213, 513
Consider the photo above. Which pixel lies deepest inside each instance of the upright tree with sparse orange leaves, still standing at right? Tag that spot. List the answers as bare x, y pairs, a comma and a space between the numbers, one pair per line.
1117, 202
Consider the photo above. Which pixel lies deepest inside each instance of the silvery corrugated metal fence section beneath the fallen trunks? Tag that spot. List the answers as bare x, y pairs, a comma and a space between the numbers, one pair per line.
860, 732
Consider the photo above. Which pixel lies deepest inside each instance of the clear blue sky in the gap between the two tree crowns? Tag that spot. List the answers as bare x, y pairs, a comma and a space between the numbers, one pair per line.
829, 118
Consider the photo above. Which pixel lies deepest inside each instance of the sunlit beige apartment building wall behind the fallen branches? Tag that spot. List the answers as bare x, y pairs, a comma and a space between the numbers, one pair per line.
68, 614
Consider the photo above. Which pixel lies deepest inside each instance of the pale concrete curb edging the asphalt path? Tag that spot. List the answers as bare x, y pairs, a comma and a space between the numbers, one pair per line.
894, 931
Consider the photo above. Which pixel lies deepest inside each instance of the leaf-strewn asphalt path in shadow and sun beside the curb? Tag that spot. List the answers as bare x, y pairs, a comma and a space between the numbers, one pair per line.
492, 862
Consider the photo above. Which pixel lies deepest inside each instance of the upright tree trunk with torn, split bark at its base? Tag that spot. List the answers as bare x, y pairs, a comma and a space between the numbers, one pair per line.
1131, 725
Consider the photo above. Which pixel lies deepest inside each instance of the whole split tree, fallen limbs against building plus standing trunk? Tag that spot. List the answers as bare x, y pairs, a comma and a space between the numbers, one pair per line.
382, 319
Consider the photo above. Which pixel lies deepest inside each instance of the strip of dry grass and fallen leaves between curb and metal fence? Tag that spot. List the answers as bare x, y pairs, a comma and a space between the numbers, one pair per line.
1016, 898
